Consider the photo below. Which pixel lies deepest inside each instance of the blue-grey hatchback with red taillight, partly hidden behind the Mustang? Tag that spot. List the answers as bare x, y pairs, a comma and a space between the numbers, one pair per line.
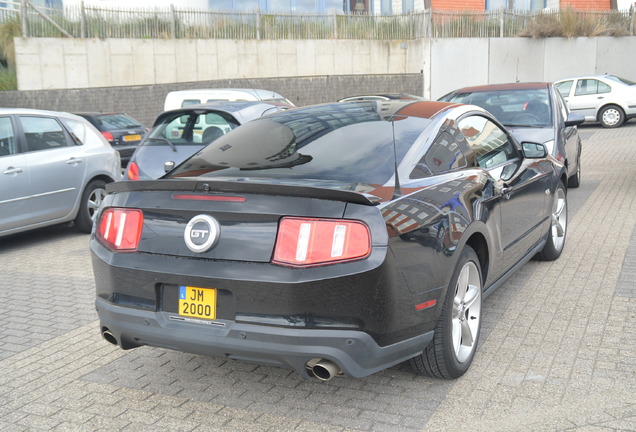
178, 134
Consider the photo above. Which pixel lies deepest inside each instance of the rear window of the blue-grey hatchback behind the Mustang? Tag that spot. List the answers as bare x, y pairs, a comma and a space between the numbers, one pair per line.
190, 127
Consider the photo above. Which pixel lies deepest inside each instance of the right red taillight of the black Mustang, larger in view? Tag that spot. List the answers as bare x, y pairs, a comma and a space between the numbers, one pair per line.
308, 242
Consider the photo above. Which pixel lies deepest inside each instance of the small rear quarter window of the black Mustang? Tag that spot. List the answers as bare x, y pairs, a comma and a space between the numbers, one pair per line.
444, 155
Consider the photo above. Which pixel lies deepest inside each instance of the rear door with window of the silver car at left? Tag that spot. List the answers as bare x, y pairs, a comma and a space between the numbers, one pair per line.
56, 168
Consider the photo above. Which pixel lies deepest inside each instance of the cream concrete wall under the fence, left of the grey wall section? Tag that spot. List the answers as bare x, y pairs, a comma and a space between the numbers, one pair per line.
54, 63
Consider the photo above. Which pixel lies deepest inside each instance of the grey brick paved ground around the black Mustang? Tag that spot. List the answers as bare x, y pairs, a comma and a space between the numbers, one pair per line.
558, 351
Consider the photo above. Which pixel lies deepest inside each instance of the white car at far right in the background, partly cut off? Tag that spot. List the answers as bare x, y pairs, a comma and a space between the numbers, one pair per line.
607, 99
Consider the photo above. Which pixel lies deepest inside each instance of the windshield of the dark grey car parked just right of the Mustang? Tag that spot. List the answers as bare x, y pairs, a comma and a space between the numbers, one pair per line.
521, 108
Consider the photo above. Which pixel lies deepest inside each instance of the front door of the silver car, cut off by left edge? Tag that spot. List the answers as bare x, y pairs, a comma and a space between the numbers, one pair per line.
14, 177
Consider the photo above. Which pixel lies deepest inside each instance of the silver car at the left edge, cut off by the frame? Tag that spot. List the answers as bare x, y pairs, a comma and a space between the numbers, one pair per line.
54, 167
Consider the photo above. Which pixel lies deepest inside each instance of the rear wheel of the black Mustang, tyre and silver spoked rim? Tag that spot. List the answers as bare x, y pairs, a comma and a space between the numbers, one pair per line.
449, 355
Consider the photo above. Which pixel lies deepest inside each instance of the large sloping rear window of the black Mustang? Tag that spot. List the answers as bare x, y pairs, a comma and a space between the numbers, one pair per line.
354, 144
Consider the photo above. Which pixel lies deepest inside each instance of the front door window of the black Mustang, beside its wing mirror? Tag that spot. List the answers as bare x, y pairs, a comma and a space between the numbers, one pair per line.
489, 143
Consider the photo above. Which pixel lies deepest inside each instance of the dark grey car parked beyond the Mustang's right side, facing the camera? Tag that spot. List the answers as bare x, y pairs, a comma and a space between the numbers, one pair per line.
532, 112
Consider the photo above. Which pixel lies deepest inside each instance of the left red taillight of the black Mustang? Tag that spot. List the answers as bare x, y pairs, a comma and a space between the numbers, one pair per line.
120, 229
